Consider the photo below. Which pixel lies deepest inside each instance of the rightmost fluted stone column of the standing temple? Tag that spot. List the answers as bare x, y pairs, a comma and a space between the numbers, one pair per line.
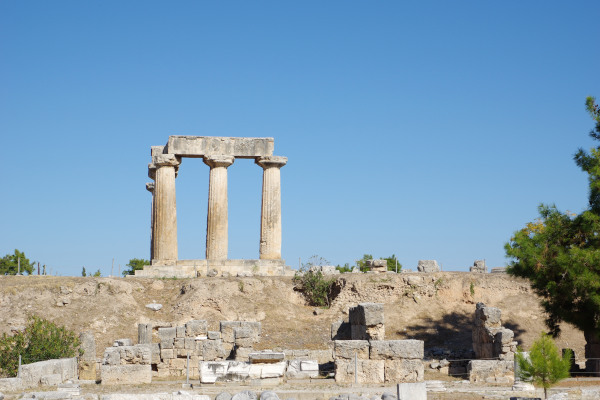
270, 220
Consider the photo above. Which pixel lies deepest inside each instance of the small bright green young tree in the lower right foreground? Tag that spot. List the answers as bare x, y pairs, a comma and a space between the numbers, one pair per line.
544, 366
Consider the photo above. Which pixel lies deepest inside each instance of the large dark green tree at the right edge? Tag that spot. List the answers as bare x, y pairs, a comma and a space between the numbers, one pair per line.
560, 252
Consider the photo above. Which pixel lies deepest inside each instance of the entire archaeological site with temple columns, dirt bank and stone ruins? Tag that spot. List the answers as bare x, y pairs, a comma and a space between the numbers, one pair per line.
215, 328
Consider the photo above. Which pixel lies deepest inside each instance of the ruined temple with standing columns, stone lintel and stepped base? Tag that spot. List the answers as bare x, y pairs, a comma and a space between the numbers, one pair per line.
218, 153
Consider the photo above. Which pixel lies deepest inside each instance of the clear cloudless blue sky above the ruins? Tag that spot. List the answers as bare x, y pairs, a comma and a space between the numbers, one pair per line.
430, 129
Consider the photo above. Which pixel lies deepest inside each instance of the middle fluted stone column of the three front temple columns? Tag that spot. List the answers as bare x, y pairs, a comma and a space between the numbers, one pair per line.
216, 221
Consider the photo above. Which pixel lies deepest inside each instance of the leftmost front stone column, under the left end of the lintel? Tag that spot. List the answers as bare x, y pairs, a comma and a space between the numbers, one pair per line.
164, 210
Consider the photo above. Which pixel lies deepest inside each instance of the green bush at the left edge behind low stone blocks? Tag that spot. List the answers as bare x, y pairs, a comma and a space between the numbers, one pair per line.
41, 340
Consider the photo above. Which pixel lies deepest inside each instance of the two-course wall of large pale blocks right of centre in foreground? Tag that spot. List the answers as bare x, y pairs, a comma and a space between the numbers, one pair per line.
379, 361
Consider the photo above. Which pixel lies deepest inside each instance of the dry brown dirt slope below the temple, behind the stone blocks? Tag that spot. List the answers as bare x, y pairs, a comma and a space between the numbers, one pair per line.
437, 308
